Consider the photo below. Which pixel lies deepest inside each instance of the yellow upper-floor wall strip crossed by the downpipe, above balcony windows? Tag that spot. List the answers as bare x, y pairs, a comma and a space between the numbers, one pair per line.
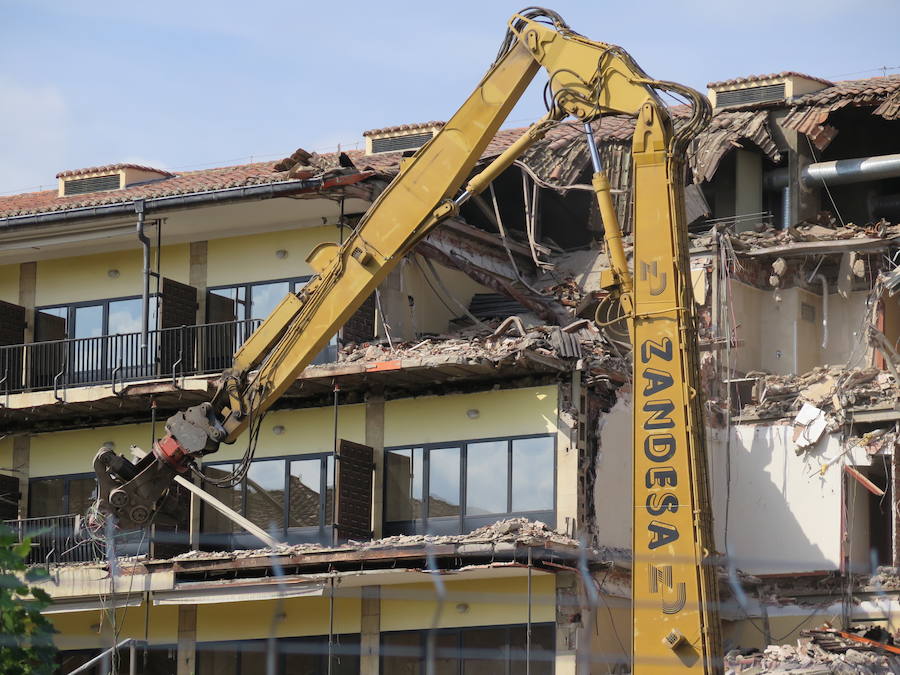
86, 277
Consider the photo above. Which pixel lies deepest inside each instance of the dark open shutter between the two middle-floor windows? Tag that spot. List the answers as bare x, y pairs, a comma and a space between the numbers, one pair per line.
355, 466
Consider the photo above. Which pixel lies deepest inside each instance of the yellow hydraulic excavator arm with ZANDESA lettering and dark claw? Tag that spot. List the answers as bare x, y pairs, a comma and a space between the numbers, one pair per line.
674, 615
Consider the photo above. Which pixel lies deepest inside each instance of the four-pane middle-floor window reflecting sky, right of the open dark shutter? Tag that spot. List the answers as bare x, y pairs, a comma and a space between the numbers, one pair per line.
469, 484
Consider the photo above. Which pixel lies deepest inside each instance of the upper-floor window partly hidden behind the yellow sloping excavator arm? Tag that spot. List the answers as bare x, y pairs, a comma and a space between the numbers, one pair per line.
254, 302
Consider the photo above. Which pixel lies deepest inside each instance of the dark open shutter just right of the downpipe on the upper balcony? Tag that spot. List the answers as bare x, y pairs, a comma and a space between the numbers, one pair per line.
178, 307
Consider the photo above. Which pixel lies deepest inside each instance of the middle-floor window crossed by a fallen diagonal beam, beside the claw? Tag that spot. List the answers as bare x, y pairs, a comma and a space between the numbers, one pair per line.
291, 496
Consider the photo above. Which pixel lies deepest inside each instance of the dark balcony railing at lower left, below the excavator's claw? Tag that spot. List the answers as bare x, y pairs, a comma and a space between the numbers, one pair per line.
56, 540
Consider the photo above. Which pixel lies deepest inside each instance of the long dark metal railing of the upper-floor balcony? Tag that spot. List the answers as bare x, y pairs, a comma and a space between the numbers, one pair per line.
115, 359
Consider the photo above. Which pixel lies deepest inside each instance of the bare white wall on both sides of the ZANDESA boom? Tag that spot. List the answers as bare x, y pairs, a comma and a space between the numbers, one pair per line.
784, 515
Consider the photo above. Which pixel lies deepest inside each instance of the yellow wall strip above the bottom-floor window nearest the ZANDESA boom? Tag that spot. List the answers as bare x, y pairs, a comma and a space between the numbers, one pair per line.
490, 601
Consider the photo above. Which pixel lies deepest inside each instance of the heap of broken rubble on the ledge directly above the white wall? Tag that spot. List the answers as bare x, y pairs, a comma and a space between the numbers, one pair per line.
831, 389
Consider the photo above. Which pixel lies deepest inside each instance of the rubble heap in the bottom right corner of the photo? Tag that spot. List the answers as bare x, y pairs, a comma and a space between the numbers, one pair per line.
809, 658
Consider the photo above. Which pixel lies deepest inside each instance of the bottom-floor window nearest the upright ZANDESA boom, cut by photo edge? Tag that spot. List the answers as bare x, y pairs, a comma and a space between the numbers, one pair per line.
471, 651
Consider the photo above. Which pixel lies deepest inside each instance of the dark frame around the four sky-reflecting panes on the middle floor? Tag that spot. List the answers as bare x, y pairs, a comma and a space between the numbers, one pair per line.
467, 522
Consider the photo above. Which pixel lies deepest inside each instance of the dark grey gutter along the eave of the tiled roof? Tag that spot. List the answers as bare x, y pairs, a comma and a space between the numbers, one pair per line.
265, 191
